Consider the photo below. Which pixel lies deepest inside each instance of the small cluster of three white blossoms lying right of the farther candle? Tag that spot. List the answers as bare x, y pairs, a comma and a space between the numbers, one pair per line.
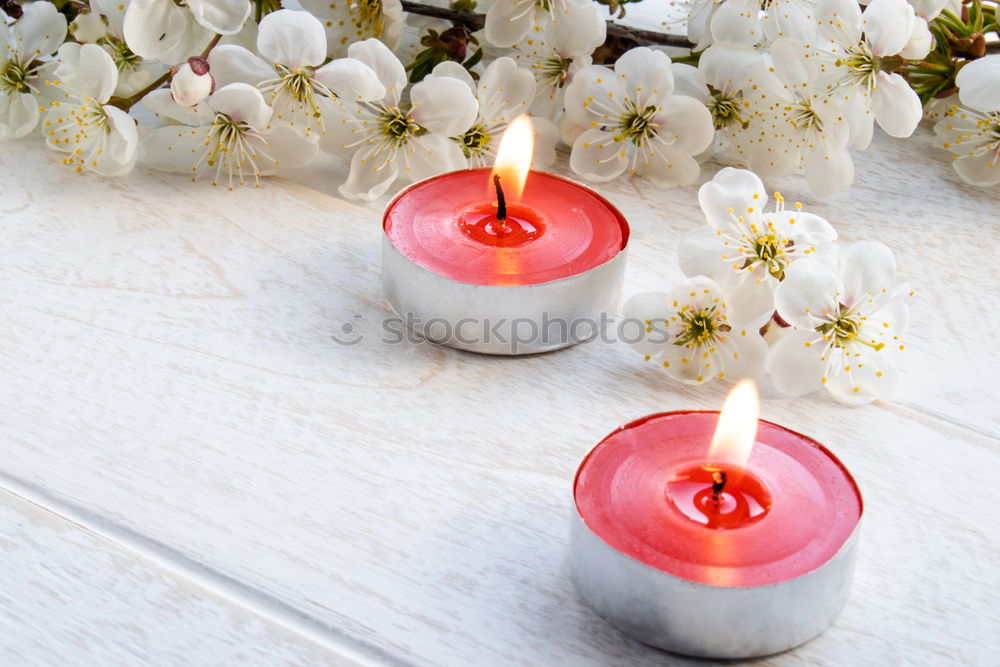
770, 292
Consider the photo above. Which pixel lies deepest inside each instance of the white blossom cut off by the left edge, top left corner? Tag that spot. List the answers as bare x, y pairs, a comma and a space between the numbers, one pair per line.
23, 45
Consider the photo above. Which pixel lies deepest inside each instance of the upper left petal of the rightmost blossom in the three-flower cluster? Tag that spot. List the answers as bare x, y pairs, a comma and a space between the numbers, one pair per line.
807, 294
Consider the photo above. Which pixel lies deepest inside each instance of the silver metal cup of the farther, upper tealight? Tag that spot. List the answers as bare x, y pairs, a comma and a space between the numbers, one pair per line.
502, 319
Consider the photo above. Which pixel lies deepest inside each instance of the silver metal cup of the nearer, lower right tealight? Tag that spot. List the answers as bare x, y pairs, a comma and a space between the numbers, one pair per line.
702, 620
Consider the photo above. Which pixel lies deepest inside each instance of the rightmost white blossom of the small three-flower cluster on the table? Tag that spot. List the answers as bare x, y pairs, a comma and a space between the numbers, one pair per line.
847, 322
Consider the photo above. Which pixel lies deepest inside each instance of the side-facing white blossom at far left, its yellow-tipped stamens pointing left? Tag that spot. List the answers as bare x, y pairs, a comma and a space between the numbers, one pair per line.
94, 135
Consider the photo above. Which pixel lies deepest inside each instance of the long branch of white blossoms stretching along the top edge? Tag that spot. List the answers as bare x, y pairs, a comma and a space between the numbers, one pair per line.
238, 88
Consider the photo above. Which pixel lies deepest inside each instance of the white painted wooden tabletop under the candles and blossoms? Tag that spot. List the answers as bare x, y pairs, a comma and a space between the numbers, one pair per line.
194, 472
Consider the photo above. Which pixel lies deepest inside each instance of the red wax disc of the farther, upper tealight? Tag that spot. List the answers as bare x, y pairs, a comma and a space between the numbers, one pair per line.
556, 229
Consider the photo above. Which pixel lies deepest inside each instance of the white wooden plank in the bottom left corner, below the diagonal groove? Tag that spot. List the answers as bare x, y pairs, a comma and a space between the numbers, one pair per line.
70, 597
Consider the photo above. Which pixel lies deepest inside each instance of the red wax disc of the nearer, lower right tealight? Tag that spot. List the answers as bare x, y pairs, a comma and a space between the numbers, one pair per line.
646, 491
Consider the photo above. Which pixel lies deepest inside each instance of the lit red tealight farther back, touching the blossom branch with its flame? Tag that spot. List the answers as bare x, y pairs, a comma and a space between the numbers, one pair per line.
503, 261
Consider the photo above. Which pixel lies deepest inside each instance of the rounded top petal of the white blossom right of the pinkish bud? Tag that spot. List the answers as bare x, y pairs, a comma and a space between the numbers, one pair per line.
294, 39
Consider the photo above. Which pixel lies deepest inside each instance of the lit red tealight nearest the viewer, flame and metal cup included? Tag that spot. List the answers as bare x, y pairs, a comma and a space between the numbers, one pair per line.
734, 549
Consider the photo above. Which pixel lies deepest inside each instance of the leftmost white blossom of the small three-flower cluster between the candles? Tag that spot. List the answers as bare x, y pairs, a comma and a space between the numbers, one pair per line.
691, 334
